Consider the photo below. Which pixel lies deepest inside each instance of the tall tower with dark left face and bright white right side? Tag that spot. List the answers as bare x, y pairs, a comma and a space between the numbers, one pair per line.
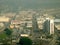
49, 26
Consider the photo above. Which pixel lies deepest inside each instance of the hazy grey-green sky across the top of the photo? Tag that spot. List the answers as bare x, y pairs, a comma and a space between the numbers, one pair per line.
33, 3
